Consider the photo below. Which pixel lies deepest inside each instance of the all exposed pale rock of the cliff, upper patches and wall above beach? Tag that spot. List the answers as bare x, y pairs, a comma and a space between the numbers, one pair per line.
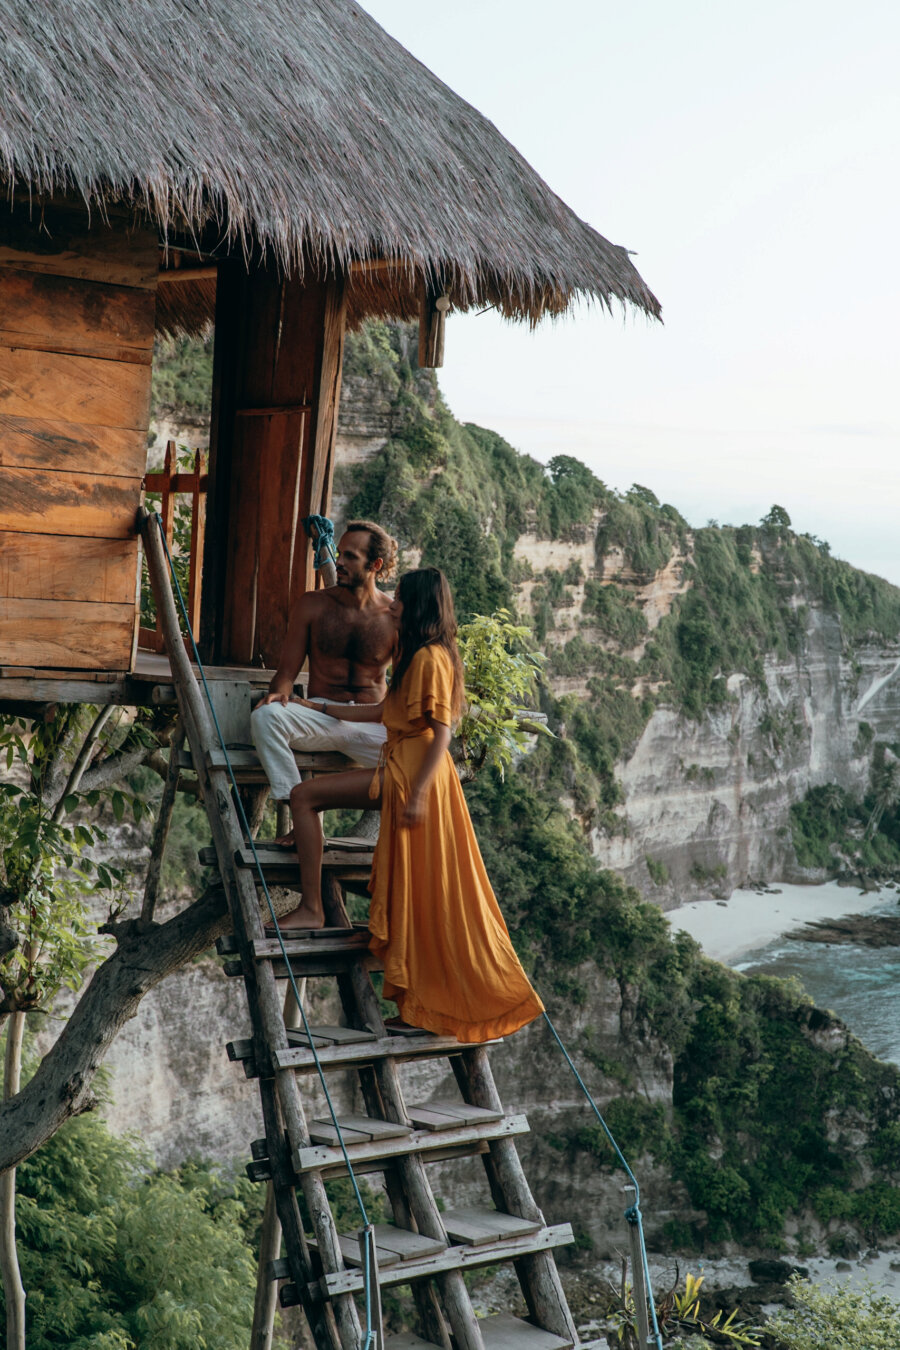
704, 799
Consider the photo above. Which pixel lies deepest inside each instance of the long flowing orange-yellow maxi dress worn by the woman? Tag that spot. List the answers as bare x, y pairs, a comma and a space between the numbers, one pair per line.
437, 925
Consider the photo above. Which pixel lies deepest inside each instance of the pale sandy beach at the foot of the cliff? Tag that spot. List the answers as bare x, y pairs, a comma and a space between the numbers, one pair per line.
728, 929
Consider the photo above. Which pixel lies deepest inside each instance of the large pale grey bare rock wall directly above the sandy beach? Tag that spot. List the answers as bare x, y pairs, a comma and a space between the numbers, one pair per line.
710, 800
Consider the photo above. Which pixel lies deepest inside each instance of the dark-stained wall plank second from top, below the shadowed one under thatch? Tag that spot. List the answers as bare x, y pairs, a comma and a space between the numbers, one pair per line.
72, 315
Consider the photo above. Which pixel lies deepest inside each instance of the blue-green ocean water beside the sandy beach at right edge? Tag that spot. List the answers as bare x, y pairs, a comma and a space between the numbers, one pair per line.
860, 983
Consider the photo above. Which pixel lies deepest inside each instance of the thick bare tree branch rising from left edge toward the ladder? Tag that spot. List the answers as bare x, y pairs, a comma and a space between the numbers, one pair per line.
61, 1087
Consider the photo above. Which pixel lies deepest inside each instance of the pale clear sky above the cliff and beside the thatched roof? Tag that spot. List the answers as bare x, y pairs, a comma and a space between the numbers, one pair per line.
751, 157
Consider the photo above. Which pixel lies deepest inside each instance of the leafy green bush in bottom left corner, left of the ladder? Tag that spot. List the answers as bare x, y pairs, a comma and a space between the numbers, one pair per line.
117, 1256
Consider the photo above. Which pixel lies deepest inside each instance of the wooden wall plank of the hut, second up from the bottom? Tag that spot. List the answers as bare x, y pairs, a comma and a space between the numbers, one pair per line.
60, 568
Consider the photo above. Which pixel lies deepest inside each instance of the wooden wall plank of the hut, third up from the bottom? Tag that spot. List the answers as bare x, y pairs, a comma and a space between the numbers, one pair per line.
68, 504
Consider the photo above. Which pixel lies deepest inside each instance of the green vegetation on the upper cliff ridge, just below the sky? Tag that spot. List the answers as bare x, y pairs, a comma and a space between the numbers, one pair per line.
463, 497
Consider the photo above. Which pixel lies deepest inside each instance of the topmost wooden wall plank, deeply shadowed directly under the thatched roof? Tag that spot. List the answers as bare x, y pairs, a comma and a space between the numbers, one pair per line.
69, 244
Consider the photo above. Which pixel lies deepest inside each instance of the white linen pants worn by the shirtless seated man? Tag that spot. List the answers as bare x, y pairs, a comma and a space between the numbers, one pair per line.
279, 730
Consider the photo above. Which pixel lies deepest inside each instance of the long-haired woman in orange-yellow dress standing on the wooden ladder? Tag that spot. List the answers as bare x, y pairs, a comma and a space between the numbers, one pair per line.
435, 923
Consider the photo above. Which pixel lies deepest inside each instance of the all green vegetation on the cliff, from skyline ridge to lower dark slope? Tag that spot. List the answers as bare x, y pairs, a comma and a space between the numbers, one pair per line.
750, 1148
